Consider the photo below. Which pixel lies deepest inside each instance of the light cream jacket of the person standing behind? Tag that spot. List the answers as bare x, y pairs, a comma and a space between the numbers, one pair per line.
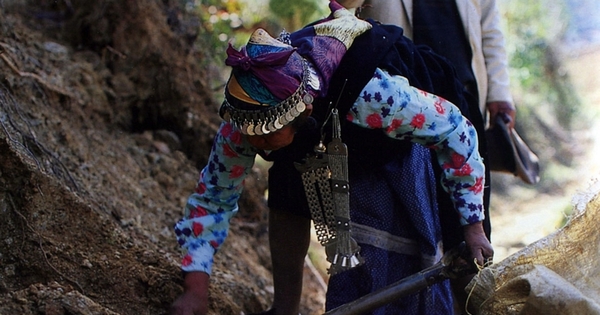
481, 21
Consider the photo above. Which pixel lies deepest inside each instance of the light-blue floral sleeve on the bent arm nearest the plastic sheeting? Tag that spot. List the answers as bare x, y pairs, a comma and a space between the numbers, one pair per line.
401, 111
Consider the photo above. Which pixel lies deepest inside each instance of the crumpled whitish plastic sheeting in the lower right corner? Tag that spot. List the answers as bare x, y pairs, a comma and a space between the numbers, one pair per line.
559, 274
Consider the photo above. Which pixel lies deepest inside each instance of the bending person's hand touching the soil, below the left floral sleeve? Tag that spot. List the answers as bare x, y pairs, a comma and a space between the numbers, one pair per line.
194, 300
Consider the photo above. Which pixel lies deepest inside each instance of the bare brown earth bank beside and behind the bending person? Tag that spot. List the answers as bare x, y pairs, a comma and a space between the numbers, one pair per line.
105, 113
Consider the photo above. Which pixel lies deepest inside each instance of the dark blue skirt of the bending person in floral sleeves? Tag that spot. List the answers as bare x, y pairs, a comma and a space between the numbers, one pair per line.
398, 200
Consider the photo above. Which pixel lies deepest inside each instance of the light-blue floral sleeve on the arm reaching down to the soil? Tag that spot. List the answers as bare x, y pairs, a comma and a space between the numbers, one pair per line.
213, 203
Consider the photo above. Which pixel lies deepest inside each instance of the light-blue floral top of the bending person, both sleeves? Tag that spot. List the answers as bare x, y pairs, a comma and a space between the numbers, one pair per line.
387, 103
